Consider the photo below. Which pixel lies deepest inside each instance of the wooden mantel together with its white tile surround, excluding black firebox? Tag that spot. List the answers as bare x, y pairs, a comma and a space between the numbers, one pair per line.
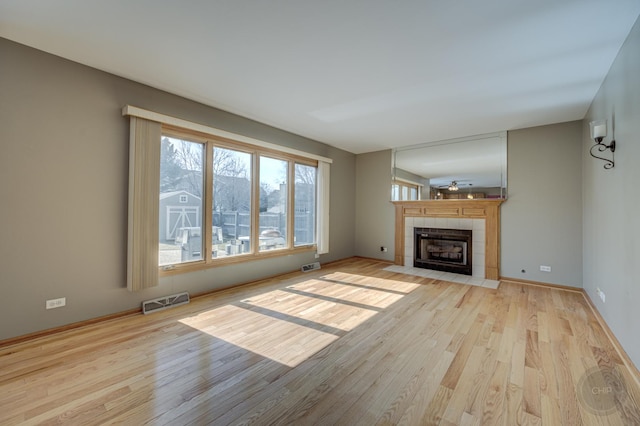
482, 216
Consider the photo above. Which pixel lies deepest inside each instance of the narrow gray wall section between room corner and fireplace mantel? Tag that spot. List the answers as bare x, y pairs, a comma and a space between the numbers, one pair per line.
375, 213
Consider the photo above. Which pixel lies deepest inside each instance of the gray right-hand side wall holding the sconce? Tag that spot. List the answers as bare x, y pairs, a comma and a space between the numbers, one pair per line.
611, 228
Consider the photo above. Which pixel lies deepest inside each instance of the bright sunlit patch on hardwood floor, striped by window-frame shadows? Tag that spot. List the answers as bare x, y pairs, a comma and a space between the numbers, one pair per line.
291, 324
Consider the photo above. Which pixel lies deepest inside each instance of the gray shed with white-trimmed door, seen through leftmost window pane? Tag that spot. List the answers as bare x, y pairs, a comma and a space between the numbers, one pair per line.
178, 209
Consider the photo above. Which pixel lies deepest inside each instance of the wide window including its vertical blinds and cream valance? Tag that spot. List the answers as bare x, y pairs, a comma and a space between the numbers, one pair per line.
201, 197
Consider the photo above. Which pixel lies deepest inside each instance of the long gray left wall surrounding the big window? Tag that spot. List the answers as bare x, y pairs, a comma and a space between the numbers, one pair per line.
64, 171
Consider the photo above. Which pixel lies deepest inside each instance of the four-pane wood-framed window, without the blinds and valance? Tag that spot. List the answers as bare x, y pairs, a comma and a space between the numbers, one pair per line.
248, 194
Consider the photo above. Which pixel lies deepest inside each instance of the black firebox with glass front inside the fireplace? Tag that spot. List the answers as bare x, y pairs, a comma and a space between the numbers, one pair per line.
443, 249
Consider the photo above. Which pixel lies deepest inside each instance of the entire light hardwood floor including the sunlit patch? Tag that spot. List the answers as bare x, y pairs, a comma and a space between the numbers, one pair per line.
350, 344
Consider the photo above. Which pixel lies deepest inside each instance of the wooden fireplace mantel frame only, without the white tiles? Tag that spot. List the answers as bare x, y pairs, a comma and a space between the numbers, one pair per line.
488, 209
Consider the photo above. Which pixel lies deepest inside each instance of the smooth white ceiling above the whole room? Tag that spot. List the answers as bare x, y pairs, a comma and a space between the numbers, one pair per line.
362, 75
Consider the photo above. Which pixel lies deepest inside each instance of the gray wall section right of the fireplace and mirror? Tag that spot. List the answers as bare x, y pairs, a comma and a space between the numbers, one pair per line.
542, 217
